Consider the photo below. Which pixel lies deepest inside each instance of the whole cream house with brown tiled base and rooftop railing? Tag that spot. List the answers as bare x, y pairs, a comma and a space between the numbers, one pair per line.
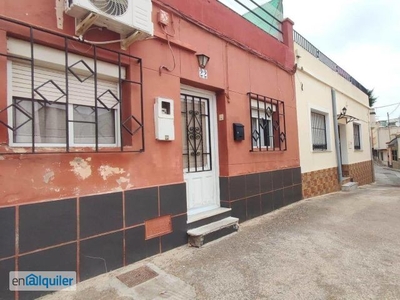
333, 115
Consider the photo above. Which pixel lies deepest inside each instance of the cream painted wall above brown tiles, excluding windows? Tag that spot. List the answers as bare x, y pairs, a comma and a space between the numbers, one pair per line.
313, 92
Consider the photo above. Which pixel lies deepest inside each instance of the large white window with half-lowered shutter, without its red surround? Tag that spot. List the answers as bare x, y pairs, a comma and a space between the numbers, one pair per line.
46, 113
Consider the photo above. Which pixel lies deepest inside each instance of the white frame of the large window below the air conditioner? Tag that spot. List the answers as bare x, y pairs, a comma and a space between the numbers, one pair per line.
12, 143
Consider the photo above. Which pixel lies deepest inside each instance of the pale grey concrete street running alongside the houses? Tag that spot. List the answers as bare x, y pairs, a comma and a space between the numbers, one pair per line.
344, 245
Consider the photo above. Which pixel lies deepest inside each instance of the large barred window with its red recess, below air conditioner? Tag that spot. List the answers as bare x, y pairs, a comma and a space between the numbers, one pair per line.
74, 98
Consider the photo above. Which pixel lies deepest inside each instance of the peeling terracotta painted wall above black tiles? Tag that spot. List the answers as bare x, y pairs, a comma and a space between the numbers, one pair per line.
232, 72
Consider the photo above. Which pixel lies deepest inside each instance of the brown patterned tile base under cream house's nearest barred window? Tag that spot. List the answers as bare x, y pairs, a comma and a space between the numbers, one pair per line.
320, 182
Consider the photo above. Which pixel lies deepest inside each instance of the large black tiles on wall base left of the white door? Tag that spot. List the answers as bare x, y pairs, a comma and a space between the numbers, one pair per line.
90, 235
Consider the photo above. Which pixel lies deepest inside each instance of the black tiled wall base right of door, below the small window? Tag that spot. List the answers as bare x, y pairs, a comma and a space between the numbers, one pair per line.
252, 195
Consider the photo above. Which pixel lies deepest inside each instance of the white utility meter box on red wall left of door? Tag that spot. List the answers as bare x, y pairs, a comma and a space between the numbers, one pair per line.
164, 119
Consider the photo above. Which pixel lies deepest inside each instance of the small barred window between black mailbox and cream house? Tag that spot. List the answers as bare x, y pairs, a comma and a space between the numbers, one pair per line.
267, 123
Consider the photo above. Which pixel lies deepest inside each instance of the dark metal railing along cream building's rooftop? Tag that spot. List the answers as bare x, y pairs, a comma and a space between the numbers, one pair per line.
305, 44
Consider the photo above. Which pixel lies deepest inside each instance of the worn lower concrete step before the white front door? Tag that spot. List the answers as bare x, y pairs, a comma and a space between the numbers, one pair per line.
207, 233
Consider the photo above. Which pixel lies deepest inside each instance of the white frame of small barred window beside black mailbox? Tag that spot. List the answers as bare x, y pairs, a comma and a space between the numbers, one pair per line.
257, 111
